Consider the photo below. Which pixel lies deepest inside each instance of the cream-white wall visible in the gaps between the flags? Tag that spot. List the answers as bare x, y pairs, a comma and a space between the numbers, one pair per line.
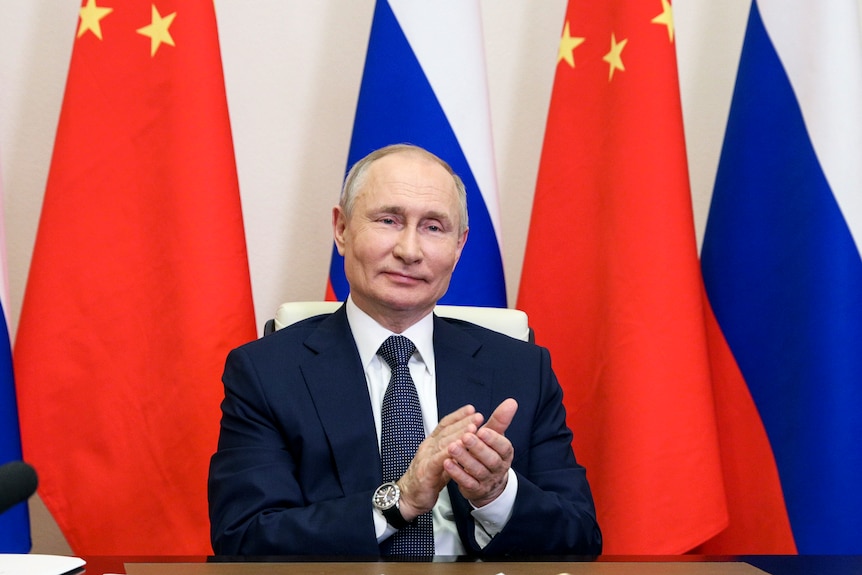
292, 69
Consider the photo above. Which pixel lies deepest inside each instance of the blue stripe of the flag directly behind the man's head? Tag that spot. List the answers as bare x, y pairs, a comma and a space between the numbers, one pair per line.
397, 104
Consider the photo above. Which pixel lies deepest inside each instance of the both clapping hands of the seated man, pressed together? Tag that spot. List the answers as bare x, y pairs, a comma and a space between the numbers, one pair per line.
477, 457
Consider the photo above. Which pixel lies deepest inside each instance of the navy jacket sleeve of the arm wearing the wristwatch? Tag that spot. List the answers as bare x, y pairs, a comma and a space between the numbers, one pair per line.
260, 502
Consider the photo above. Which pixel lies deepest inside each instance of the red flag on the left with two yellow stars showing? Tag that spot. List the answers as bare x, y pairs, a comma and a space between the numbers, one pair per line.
139, 283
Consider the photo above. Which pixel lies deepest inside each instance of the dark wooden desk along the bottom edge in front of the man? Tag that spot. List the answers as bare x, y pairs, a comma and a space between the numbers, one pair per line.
605, 565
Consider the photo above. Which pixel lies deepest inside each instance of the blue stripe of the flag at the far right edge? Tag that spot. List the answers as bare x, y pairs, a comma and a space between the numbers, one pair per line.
785, 280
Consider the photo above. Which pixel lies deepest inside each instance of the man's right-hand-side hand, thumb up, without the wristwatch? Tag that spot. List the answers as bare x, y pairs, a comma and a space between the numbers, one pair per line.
479, 462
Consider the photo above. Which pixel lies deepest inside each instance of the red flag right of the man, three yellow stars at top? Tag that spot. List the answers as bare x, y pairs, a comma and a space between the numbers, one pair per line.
612, 284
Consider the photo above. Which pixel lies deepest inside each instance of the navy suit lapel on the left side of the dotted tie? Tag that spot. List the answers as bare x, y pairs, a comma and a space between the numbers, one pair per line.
336, 382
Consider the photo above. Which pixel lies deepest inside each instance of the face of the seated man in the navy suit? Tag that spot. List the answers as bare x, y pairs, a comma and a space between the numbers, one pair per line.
402, 241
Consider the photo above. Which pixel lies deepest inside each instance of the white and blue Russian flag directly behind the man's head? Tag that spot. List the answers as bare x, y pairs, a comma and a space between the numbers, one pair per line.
424, 83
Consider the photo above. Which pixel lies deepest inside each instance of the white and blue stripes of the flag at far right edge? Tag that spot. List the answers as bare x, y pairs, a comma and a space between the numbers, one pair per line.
781, 256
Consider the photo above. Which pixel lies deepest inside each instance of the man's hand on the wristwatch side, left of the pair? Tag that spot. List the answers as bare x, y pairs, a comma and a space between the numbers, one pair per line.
426, 477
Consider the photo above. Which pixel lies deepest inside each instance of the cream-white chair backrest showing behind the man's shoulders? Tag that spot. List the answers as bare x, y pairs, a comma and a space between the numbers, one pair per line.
511, 322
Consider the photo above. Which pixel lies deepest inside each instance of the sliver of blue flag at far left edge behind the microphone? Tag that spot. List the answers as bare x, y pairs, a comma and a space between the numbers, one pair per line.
15, 522
